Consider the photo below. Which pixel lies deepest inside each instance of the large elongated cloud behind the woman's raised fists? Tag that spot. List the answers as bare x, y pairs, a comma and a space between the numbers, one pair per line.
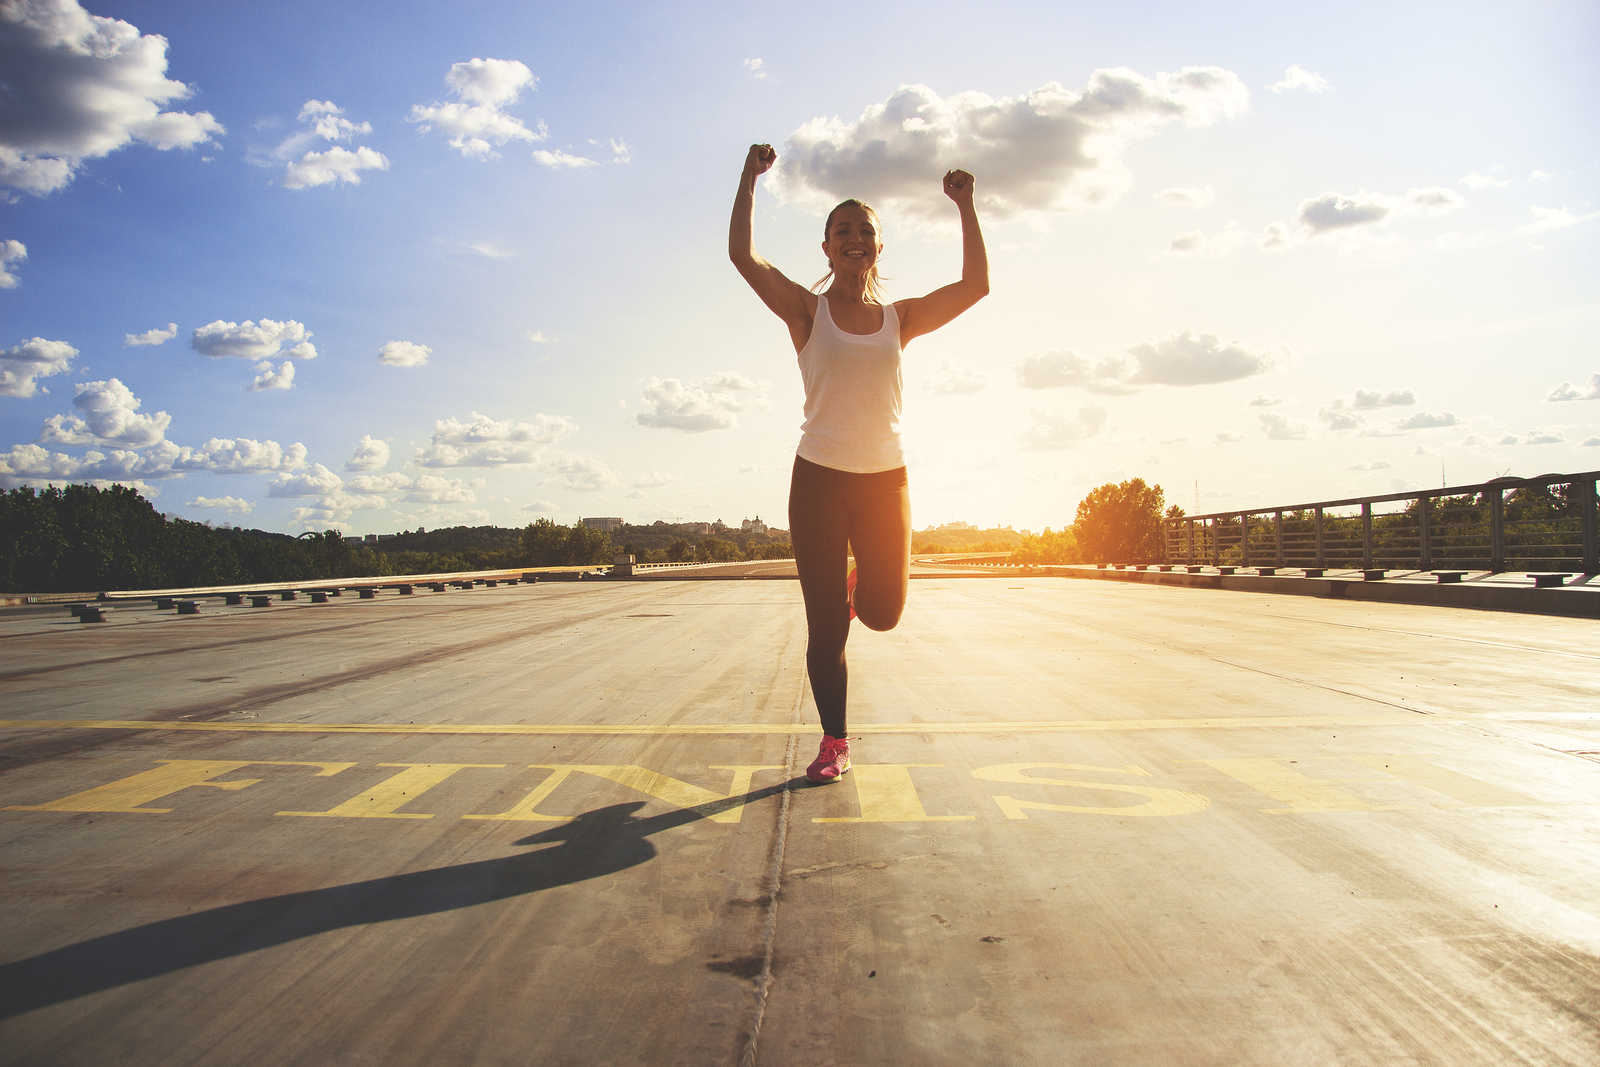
1046, 153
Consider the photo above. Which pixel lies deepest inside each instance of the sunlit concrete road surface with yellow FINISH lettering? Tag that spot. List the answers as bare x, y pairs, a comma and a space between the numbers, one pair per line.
567, 825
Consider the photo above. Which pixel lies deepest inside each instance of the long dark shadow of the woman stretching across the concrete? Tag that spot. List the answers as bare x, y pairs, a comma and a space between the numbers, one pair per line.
593, 845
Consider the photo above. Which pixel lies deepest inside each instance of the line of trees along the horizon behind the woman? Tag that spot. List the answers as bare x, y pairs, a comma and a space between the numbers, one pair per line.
84, 538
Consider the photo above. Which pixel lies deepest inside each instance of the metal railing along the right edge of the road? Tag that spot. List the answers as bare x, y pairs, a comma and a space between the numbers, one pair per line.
1545, 524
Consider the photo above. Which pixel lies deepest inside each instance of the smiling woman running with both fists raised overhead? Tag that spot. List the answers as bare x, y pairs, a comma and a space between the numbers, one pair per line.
849, 490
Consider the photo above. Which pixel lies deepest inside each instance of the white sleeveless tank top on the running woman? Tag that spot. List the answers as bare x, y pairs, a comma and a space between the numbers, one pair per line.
852, 396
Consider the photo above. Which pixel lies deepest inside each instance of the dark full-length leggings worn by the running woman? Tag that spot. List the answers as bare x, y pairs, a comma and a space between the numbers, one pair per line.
831, 516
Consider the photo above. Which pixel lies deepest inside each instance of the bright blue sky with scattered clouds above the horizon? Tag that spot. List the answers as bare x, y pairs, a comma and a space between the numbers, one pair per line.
1263, 254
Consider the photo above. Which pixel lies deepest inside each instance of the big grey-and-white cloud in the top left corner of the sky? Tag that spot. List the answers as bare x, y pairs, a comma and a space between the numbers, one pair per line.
79, 87
